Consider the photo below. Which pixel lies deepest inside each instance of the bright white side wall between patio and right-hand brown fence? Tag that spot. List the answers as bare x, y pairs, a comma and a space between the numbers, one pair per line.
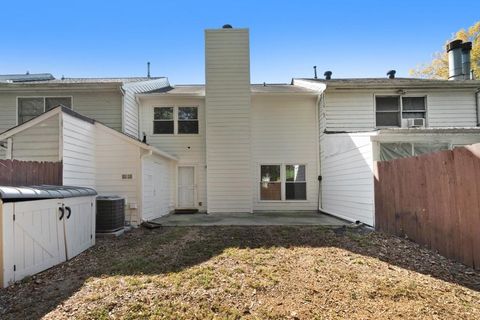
347, 171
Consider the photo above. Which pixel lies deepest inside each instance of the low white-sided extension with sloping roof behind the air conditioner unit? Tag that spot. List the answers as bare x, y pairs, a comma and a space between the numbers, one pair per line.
96, 156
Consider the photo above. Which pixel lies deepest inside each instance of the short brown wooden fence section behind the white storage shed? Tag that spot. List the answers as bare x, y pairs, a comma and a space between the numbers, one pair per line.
22, 173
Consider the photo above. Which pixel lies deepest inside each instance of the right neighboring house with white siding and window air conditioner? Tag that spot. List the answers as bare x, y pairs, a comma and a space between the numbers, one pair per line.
366, 120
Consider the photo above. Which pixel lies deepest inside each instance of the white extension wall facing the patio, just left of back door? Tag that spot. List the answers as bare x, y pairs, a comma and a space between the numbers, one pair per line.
158, 187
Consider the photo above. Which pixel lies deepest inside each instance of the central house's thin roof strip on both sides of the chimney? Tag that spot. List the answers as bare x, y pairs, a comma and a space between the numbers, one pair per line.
199, 90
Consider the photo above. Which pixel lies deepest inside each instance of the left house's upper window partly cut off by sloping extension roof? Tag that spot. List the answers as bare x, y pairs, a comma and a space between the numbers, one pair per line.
31, 107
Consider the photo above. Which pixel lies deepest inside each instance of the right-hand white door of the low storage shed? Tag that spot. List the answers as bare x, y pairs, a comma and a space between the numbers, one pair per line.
79, 225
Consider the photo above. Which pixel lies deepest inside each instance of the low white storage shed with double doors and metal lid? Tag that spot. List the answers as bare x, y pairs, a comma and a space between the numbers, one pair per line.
42, 226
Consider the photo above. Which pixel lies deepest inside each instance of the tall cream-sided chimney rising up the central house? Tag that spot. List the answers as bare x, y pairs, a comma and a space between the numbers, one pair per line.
228, 114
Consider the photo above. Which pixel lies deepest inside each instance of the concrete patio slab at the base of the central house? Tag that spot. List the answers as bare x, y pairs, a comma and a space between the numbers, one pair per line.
248, 219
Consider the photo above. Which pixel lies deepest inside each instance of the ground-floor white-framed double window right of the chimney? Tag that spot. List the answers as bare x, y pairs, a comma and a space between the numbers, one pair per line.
283, 182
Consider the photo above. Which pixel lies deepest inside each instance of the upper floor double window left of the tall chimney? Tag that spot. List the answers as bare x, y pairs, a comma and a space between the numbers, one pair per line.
175, 120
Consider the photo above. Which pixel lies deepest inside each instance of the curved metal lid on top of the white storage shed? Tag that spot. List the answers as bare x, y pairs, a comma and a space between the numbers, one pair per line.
44, 192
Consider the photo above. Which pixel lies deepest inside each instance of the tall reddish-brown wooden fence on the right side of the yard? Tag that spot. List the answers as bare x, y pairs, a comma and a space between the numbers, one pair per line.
434, 200
